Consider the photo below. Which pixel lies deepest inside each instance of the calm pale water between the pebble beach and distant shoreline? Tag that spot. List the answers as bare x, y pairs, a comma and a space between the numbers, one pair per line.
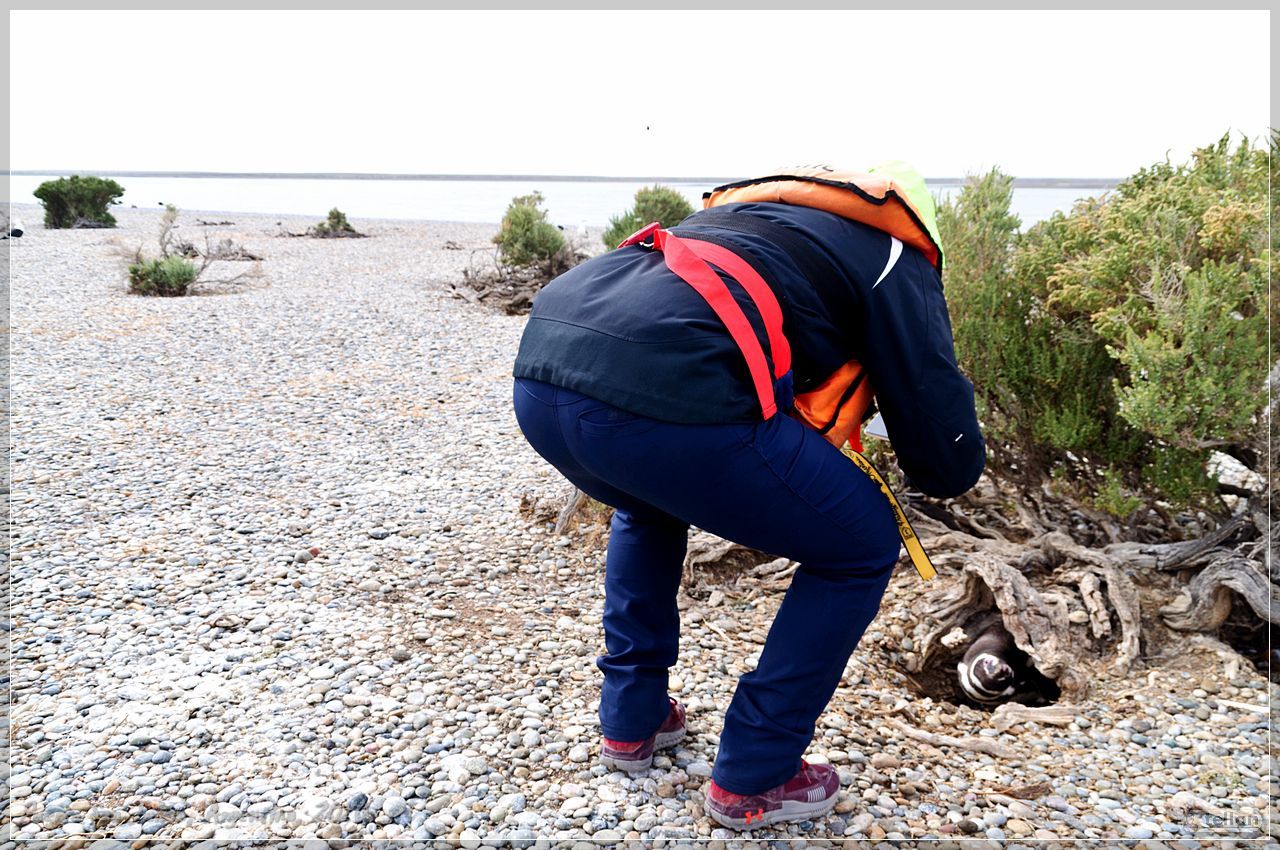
570, 204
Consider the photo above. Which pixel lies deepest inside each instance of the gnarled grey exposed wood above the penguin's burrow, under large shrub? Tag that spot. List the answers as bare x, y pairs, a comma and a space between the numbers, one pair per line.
1076, 610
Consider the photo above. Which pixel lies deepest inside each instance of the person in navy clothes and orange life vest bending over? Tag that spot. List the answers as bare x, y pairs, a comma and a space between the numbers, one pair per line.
708, 376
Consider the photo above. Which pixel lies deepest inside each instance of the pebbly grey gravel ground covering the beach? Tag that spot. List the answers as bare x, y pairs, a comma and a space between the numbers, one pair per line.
272, 581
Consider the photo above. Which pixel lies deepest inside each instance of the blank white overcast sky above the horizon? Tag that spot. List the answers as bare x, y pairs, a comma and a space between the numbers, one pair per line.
1064, 94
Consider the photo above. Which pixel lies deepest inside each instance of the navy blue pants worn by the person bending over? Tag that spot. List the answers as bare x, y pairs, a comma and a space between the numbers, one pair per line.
774, 486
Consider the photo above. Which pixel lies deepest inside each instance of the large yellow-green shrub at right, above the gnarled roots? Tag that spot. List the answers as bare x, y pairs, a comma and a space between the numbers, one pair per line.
1127, 336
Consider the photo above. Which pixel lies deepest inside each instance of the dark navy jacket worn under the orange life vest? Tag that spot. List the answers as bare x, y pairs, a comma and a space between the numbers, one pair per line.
624, 330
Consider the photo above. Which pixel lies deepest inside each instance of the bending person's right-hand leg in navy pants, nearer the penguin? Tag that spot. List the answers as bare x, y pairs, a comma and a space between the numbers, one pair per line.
781, 488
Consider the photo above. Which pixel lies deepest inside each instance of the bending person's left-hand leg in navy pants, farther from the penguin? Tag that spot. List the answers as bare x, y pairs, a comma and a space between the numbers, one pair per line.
644, 564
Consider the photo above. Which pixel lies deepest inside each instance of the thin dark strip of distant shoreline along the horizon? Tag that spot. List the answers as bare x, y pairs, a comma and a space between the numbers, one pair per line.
1020, 182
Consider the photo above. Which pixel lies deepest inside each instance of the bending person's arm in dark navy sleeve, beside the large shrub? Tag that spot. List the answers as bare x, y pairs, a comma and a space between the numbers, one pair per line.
926, 401
